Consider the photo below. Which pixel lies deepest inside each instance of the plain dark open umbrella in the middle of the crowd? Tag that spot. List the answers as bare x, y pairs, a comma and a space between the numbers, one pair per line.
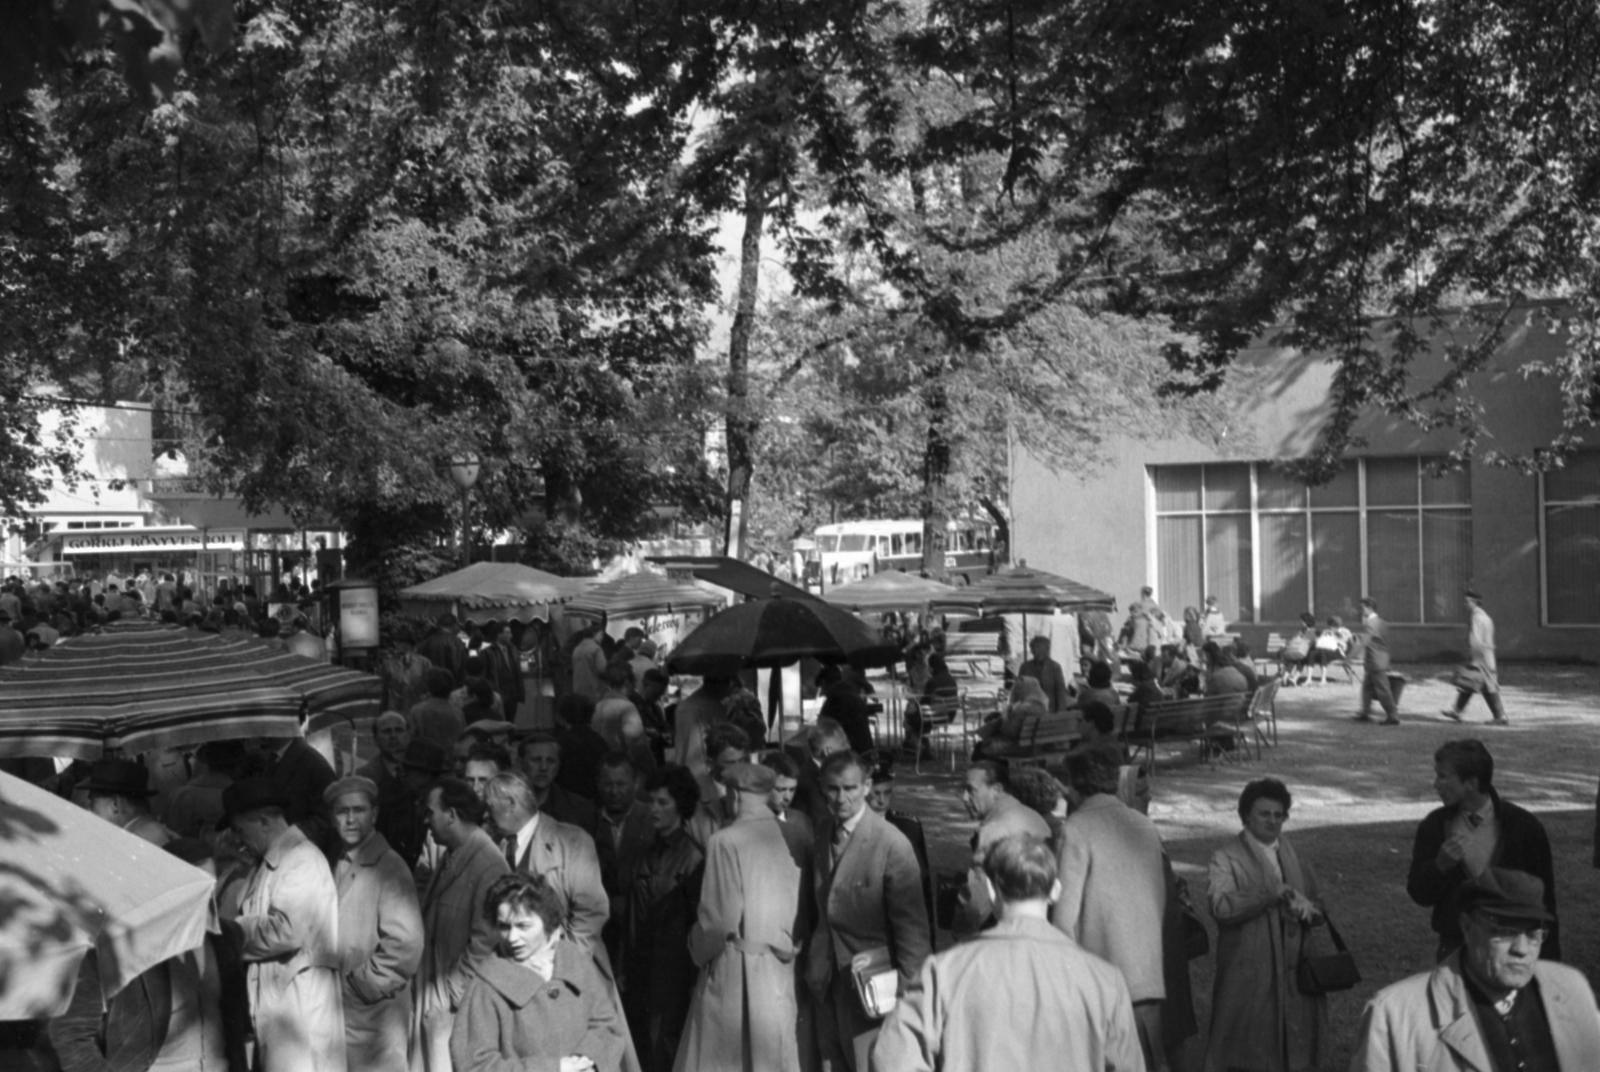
778, 633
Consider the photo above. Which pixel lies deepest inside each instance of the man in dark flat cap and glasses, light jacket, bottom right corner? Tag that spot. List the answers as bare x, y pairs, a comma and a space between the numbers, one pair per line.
1494, 1006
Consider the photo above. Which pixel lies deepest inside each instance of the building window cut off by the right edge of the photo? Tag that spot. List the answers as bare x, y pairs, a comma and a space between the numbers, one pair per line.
1572, 542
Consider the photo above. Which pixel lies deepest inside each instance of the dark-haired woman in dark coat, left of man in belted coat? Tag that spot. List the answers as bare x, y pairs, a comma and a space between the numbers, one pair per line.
663, 902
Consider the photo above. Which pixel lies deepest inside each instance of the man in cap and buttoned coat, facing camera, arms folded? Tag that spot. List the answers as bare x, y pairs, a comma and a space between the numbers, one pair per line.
380, 930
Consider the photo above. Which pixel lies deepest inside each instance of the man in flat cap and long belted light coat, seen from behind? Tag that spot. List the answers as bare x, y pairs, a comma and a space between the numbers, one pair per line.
745, 943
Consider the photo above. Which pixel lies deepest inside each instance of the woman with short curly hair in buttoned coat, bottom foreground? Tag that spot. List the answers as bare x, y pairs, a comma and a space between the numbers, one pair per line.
540, 1002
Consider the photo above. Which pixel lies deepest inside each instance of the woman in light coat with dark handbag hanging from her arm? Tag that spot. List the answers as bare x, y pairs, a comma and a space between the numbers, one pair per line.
1266, 902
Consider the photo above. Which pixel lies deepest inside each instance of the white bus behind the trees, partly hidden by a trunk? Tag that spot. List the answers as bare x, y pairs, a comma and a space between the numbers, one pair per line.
850, 551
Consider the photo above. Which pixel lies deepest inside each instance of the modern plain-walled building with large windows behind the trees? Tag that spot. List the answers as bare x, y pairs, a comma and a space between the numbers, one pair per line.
1215, 513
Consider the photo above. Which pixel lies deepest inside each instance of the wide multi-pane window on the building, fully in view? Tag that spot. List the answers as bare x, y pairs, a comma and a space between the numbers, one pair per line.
1271, 548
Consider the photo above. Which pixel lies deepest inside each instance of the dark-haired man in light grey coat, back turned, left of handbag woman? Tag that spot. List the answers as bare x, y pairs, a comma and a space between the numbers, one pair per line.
1114, 890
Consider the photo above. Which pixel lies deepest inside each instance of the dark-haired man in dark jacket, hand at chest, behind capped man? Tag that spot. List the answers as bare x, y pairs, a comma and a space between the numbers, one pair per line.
1470, 834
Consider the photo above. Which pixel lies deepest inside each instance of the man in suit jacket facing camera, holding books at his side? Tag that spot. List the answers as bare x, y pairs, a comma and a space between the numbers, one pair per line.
870, 897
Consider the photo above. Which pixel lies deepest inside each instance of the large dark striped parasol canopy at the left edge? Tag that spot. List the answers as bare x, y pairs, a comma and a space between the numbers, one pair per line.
145, 687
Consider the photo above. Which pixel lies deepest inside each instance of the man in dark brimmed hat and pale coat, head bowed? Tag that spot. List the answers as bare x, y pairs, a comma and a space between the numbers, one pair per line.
289, 935
